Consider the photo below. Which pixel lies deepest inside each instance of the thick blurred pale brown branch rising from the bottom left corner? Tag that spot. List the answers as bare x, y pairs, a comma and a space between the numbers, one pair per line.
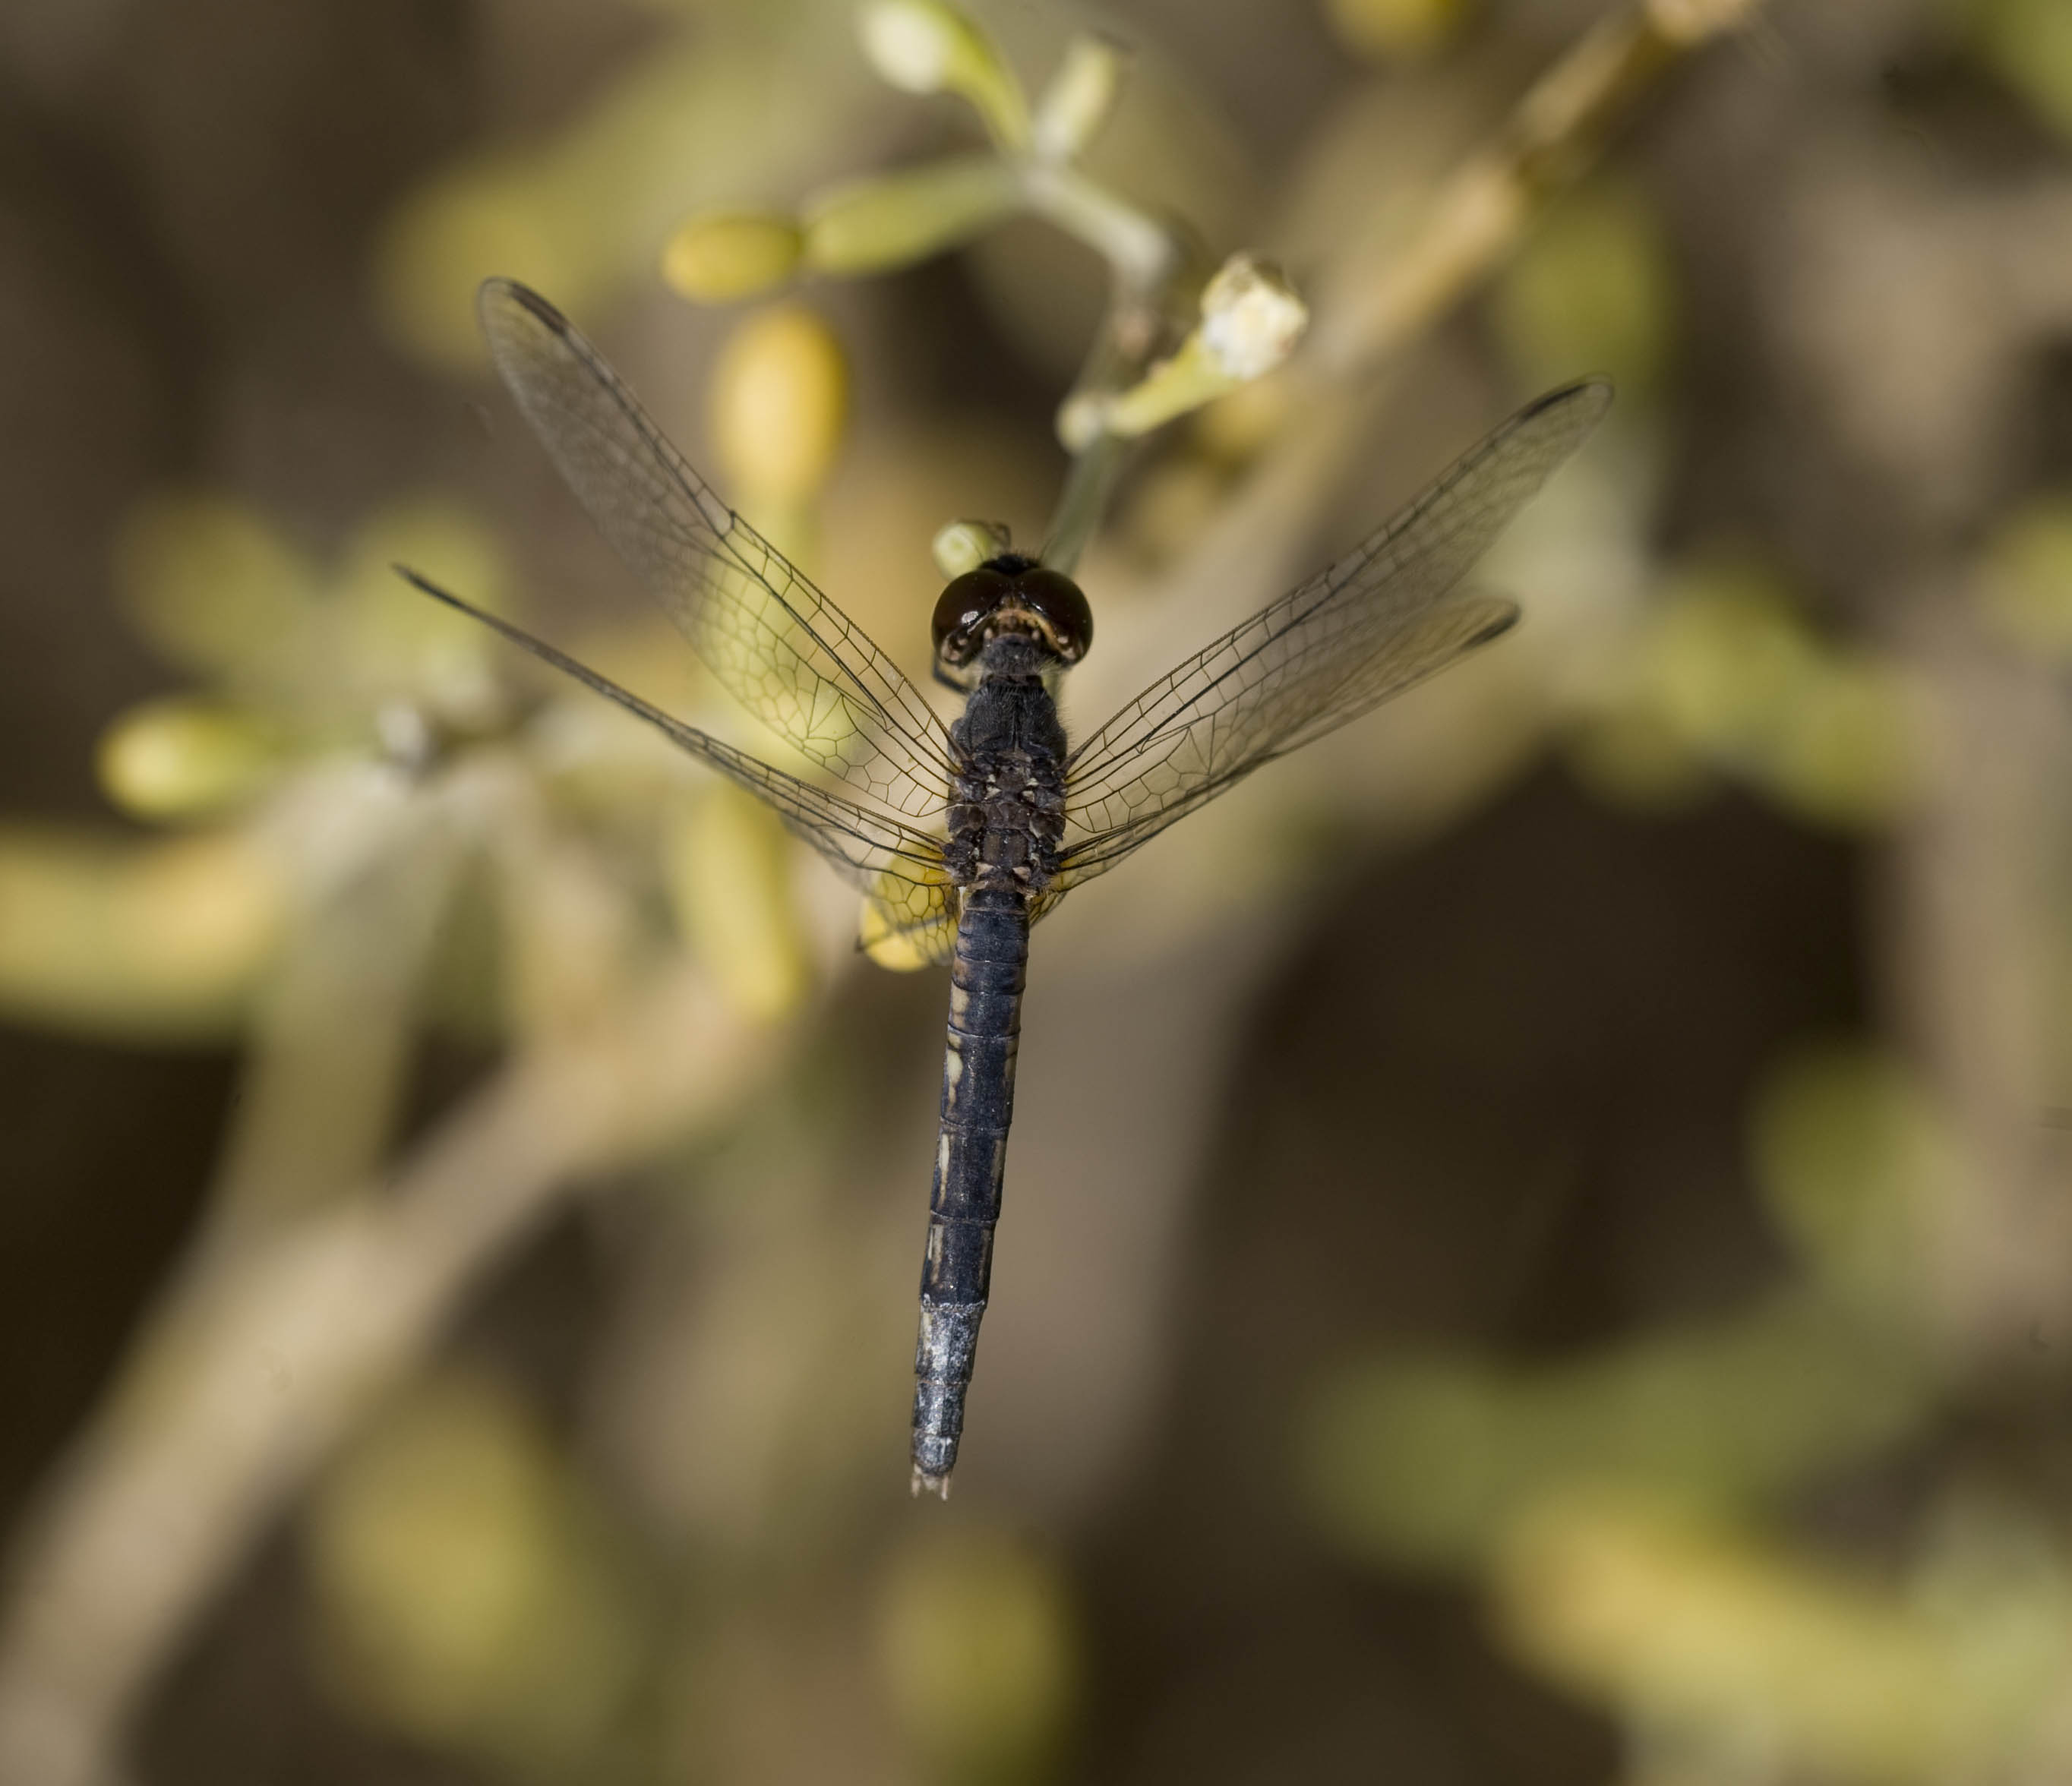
262, 1358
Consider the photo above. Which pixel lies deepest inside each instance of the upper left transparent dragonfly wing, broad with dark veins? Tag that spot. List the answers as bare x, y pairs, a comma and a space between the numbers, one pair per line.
780, 647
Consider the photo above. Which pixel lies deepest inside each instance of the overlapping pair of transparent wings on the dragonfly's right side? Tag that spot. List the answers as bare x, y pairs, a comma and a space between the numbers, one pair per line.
1379, 621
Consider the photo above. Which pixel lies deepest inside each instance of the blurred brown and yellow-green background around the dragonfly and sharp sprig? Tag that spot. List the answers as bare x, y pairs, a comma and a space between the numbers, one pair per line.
1538, 1234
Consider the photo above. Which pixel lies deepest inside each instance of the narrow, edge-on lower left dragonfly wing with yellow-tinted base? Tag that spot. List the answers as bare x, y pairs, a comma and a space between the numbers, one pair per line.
898, 865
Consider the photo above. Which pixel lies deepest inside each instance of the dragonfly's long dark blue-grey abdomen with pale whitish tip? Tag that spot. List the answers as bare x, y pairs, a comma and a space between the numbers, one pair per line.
971, 1163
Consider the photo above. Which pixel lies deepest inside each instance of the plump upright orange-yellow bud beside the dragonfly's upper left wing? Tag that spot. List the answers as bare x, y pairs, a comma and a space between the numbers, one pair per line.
780, 407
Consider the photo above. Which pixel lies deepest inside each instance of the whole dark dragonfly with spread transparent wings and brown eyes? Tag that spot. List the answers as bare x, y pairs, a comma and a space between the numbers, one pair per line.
962, 836
